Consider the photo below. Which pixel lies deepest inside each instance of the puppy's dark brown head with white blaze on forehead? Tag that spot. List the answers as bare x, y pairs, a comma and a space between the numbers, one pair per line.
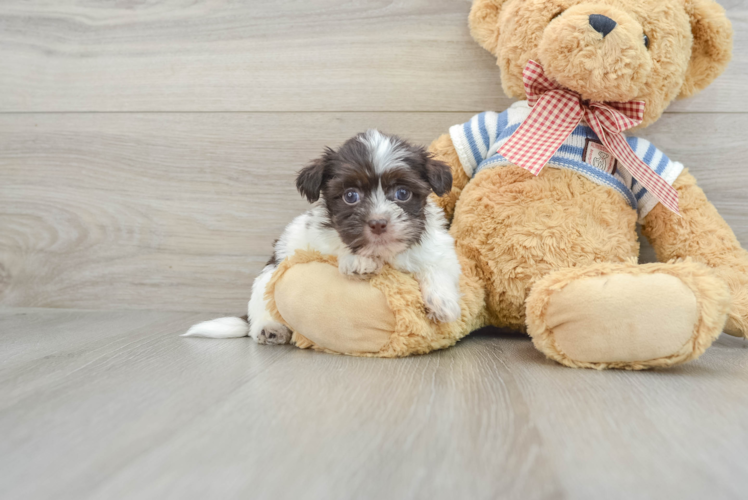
375, 188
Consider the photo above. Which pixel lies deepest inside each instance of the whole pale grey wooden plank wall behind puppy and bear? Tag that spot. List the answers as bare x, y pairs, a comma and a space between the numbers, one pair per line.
148, 149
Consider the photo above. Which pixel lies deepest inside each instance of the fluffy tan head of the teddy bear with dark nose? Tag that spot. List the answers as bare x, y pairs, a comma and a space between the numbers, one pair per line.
608, 50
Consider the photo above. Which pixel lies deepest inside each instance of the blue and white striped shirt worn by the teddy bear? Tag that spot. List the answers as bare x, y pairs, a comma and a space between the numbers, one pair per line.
477, 143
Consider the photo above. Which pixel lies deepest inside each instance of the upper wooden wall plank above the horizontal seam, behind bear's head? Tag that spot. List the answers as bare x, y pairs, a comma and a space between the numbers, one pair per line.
289, 55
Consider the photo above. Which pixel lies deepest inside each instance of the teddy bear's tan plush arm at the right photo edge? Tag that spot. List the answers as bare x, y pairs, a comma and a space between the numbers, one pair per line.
702, 234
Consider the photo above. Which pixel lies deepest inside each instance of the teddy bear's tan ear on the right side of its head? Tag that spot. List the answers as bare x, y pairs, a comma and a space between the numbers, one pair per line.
712, 45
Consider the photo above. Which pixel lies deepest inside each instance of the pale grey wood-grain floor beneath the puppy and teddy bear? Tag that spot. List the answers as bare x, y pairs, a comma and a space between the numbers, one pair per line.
113, 404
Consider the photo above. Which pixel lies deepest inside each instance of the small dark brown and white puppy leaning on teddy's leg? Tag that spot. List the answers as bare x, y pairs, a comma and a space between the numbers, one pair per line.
370, 206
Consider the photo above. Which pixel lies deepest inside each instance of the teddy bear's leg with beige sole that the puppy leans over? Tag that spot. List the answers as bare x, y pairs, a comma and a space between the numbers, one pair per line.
383, 316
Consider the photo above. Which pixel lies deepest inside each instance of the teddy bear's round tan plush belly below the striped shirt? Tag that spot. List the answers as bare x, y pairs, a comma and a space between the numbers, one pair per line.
520, 227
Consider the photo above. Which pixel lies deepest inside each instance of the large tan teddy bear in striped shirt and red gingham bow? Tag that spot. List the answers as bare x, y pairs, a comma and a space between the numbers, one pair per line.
546, 199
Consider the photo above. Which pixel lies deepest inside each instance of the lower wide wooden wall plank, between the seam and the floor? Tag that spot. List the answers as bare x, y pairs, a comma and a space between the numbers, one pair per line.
178, 211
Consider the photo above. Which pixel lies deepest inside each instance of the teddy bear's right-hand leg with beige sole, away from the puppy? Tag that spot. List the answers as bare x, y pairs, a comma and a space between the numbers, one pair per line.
625, 315
